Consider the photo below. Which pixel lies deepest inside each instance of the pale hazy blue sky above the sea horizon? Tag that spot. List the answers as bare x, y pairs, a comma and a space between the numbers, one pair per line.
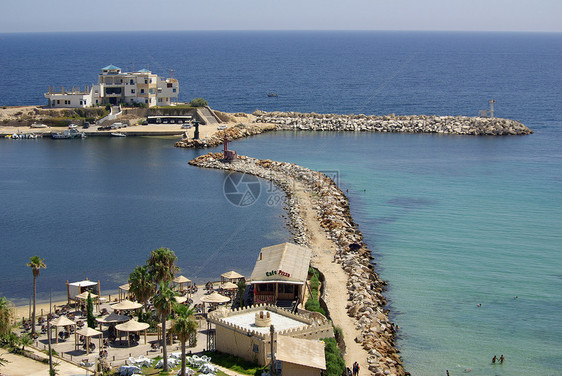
158, 15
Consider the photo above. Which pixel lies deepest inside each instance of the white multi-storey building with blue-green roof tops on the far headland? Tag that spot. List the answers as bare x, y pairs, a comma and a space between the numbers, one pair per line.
115, 87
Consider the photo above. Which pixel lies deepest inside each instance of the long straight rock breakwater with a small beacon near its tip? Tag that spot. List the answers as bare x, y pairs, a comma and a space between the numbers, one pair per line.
457, 125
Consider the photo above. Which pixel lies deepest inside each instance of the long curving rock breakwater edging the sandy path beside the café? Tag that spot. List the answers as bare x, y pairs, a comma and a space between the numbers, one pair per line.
365, 300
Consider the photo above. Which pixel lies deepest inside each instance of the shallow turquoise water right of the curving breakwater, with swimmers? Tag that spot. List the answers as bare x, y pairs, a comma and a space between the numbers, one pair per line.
455, 222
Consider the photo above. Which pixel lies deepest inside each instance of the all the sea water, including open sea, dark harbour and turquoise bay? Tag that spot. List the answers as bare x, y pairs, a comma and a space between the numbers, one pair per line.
466, 230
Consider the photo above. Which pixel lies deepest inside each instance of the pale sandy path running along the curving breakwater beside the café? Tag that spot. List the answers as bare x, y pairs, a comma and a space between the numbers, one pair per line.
336, 292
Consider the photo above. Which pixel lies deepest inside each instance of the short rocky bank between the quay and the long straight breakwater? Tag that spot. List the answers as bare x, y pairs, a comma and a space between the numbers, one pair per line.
232, 133
